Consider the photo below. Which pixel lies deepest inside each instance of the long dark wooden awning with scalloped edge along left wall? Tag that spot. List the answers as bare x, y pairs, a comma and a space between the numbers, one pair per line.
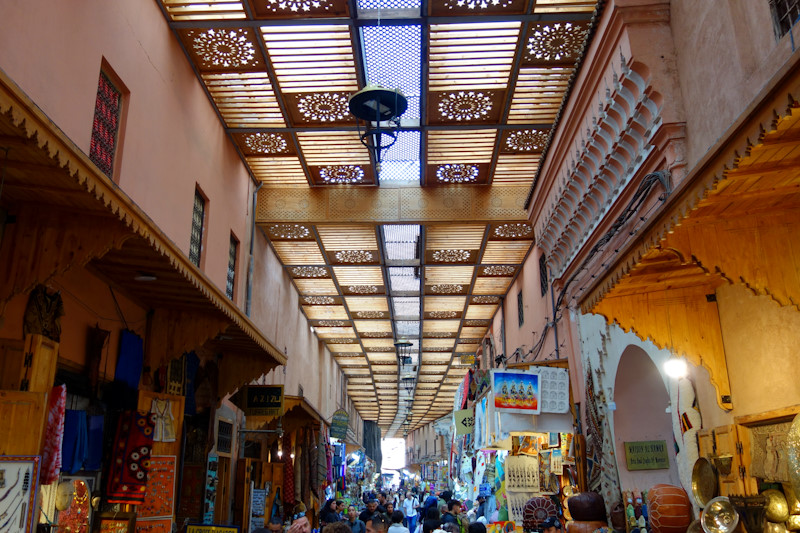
63, 203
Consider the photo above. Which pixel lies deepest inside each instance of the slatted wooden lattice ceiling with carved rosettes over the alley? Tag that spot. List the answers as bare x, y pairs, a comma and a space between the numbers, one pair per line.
485, 80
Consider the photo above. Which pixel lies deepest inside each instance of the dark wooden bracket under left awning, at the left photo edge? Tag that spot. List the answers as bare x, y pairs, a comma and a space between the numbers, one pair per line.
45, 243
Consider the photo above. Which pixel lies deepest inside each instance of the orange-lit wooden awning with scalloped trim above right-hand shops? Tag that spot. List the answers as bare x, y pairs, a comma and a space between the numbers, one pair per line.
733, 221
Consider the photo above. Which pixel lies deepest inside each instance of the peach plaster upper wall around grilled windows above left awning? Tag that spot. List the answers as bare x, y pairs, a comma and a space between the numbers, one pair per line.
172, 139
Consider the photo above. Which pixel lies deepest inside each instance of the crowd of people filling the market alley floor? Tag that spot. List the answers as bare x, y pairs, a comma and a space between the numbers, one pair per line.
393, 512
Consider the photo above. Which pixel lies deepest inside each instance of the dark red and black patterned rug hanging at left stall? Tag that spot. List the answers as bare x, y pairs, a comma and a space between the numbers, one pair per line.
130, 458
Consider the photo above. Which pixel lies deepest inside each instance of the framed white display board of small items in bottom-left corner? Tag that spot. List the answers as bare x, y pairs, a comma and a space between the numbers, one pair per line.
19, 485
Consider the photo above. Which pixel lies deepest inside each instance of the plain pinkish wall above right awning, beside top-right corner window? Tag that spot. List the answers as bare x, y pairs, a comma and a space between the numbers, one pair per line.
726, 53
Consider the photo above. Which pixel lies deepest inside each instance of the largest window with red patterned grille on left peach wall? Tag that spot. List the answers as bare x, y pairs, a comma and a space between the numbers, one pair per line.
105, 125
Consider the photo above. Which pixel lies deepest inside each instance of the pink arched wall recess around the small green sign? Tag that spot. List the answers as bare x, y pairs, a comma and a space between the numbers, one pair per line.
641, 399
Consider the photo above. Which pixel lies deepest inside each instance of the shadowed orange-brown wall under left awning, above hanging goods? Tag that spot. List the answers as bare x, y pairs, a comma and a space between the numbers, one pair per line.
87, 303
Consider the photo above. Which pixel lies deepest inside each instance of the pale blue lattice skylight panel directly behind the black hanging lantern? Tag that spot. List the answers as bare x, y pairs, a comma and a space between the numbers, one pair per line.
393, 57
